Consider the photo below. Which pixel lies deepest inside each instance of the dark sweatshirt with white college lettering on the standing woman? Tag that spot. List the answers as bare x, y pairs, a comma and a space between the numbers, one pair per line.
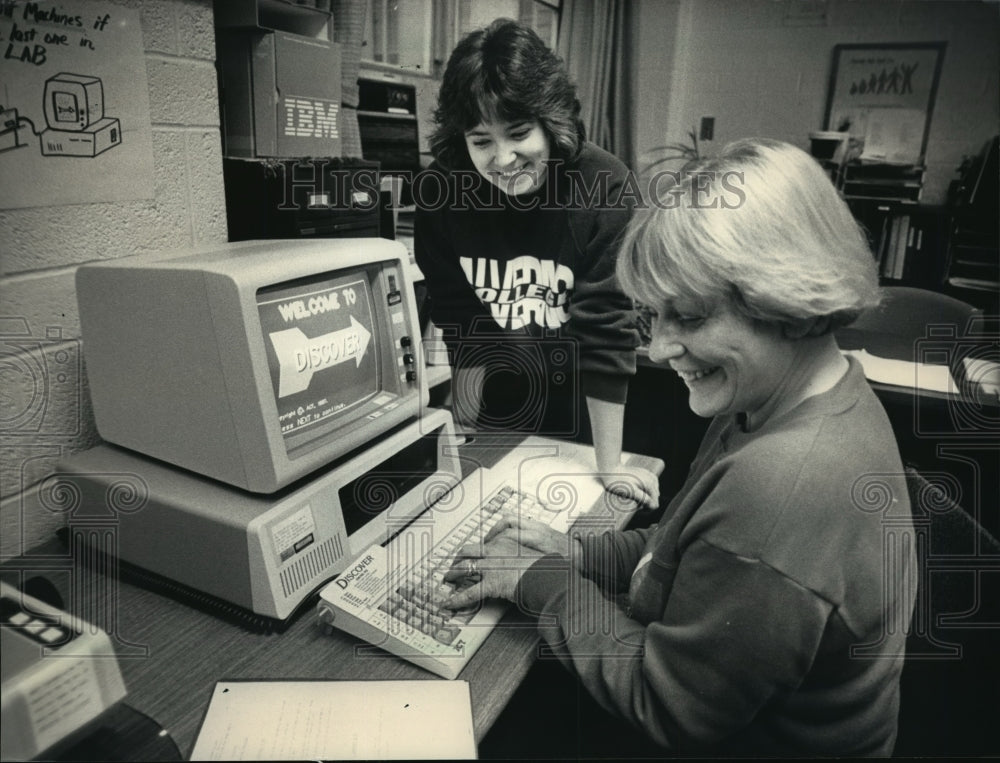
525, 286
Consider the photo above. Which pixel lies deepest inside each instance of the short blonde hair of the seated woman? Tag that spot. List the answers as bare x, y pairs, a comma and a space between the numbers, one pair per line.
759, 224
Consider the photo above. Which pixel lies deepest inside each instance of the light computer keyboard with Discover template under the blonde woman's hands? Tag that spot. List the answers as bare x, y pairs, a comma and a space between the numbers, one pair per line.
390, 595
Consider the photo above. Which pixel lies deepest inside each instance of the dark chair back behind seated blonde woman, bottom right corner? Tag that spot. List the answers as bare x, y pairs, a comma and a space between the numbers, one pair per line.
950, 686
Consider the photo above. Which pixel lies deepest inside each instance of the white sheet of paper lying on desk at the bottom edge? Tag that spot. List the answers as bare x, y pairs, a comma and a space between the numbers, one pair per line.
337, 720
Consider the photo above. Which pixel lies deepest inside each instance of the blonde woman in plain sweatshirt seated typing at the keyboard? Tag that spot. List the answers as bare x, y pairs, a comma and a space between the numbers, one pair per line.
763, 614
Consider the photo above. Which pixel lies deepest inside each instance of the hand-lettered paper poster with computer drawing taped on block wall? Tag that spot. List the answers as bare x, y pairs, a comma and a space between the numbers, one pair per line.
74, 104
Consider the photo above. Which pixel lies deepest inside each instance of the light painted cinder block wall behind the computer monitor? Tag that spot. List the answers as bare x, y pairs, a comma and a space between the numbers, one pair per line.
43, 388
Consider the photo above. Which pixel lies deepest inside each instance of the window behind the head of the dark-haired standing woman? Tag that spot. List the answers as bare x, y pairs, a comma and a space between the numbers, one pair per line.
419, 35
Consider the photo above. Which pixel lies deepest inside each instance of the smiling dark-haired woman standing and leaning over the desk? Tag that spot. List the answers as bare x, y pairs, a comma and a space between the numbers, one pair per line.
516, 229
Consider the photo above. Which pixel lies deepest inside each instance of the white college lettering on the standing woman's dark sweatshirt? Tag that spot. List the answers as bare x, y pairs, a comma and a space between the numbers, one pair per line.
521, 291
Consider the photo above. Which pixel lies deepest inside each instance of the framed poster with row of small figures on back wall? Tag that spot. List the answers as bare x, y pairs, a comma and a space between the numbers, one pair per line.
883, 95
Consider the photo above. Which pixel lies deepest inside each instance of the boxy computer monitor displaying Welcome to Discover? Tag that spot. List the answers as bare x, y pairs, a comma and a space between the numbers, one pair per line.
253, 363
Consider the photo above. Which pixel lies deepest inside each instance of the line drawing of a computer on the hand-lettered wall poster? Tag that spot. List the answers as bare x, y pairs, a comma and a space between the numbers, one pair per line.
74, 114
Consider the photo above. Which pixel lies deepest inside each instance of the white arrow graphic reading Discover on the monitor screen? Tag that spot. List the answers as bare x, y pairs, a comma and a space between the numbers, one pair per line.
299, 357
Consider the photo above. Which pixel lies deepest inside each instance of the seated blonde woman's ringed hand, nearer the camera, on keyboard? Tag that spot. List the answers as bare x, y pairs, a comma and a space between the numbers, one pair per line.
490, 571
